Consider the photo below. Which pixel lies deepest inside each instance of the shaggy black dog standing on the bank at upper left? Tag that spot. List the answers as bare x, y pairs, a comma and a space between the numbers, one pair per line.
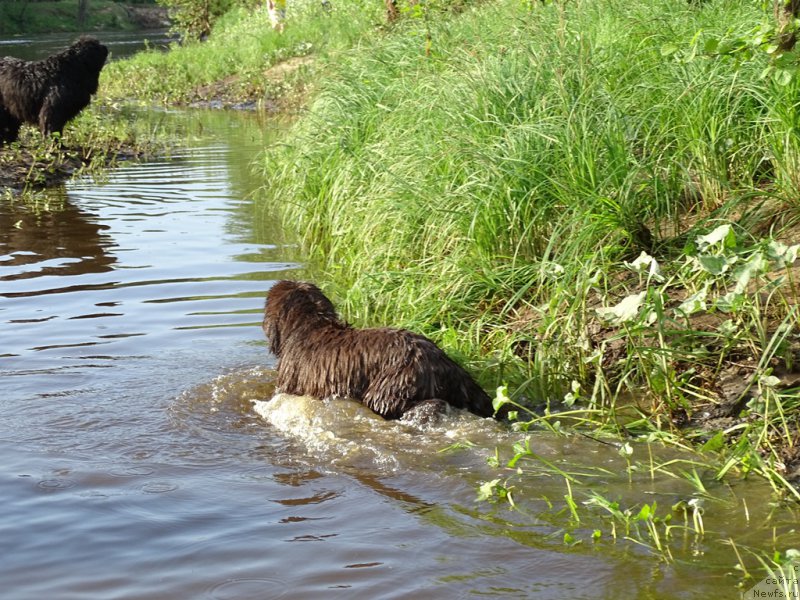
50, 92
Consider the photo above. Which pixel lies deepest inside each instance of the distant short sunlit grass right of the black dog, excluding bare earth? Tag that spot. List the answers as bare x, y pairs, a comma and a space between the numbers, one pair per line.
239, 51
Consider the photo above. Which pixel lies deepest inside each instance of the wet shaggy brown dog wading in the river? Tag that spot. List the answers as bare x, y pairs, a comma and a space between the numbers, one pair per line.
391, 371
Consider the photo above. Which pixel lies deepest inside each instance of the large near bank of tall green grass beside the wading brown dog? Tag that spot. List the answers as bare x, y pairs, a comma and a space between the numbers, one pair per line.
493, 180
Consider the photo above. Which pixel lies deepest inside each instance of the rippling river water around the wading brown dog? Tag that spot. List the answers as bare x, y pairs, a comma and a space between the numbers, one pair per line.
144, 455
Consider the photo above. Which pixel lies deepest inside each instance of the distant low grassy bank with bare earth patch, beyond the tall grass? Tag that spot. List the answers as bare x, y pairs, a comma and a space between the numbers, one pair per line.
243, 61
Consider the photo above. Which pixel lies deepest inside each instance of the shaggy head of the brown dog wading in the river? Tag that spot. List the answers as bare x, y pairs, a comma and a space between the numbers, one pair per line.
294, 306
